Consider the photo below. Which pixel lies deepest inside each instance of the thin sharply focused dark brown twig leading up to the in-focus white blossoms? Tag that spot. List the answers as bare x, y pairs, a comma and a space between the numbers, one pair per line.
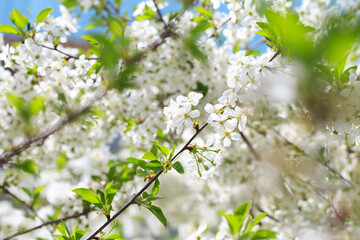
132, 200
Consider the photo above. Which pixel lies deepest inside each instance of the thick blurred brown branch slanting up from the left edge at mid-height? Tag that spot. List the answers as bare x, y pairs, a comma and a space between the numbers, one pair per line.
41, 137
